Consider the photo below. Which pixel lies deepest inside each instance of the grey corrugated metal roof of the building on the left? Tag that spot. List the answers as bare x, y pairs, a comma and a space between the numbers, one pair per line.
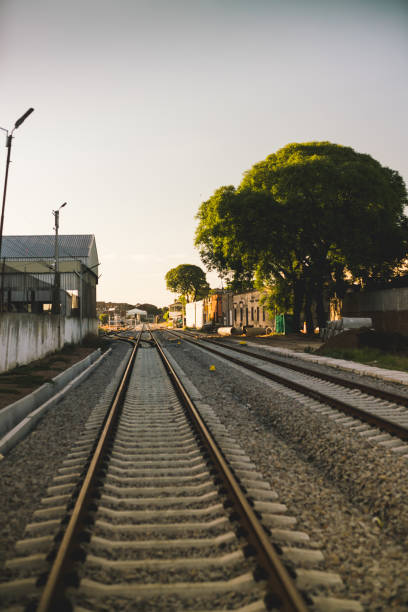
35, 247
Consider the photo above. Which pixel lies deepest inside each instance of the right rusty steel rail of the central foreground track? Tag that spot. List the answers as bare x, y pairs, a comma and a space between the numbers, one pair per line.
278, 579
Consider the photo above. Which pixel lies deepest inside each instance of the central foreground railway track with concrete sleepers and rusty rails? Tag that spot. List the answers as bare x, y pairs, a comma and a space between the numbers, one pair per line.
161, 511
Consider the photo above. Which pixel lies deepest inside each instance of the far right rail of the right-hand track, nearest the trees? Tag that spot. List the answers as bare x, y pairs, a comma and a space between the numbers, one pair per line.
390, 396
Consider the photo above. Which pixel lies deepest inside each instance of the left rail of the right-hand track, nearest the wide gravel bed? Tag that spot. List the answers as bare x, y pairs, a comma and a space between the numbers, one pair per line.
393, 428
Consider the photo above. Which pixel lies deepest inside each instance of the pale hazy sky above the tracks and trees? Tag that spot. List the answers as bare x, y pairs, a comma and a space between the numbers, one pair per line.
144, 107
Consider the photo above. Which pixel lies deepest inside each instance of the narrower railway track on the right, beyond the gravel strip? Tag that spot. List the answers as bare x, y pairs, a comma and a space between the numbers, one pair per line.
365, 406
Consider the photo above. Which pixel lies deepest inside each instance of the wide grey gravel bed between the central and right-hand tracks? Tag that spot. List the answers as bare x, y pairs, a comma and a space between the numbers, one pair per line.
348, 494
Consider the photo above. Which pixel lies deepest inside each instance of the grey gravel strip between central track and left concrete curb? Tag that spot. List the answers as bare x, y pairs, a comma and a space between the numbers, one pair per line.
27, 470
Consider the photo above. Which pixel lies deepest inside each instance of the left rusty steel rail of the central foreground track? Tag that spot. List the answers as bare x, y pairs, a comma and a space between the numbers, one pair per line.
54, 587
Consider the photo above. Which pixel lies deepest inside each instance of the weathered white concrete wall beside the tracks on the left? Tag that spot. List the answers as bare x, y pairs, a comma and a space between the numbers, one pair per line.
27, 337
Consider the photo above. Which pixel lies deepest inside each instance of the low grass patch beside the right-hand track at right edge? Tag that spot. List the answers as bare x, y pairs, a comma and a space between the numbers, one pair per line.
369, 356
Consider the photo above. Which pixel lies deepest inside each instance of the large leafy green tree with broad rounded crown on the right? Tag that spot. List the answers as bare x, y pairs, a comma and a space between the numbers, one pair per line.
306, 218
